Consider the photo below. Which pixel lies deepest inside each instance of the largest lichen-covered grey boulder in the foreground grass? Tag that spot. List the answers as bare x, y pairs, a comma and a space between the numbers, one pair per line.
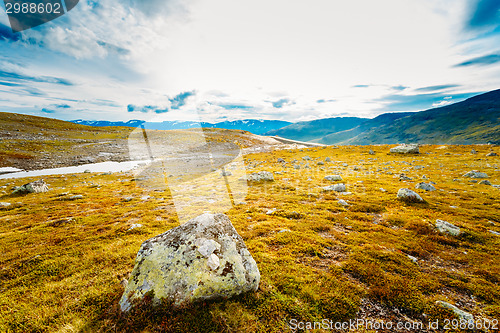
203, 259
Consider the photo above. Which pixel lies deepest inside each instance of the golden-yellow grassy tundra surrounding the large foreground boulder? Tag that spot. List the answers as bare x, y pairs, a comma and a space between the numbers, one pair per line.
62, 259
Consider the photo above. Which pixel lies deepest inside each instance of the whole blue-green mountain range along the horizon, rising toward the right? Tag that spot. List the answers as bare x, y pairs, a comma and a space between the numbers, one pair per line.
474, 120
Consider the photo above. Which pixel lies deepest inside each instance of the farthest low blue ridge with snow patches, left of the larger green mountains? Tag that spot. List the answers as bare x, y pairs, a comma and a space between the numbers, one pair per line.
251, 125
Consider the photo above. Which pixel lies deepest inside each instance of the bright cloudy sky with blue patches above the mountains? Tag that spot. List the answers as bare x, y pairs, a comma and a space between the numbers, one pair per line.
266, 59
